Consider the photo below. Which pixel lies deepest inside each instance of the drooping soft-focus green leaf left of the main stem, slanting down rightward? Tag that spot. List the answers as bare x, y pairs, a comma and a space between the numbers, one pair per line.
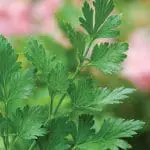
54, 70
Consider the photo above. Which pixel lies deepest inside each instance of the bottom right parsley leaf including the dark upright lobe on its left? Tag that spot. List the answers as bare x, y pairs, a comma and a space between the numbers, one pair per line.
110, 136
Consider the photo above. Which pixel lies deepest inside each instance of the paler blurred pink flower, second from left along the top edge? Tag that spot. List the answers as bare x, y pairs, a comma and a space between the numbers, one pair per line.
43, 14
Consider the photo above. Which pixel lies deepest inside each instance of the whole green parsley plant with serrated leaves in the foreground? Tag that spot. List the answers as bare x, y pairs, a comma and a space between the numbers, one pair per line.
47, 127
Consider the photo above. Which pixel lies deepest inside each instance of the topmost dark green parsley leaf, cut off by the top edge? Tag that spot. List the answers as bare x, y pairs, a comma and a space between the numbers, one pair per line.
95, 18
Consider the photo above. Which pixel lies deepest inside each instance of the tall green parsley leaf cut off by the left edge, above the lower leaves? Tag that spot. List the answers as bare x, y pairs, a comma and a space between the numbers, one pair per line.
14, 84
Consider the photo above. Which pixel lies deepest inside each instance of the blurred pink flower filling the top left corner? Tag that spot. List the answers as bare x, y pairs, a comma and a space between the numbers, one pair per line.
14, 17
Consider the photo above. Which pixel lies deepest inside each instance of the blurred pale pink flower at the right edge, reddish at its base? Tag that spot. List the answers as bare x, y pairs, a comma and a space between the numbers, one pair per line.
137, 65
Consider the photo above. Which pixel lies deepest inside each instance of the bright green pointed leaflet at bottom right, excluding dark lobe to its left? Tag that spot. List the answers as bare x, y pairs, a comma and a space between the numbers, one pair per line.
112, 131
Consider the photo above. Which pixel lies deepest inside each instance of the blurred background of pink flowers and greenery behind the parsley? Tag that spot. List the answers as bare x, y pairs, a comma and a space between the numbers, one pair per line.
21, 18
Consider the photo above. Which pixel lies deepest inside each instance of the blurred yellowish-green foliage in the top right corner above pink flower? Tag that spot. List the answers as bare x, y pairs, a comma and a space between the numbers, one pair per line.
135, 15
